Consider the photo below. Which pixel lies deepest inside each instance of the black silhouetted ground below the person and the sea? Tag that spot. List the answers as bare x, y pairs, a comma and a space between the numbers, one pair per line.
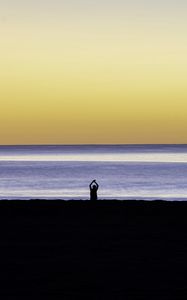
102, 250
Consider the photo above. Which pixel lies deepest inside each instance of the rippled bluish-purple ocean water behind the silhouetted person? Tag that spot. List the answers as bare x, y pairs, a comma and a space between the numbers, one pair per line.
123, 172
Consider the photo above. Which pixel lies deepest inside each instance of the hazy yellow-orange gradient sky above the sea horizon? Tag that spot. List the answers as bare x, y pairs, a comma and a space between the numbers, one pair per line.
93, 72
